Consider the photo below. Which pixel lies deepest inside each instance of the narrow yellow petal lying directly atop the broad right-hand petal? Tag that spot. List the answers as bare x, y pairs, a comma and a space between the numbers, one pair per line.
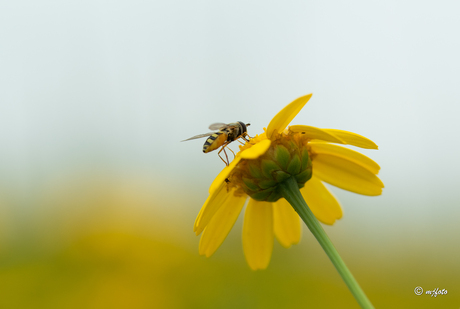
325, 148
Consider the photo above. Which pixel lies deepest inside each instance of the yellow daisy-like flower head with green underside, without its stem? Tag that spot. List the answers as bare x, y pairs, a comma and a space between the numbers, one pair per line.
304, 152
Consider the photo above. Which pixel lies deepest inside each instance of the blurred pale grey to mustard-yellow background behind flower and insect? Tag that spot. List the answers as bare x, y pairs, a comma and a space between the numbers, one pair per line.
98, 196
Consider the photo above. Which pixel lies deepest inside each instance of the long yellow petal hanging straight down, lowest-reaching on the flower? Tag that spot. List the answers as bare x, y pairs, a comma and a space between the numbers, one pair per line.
258, 234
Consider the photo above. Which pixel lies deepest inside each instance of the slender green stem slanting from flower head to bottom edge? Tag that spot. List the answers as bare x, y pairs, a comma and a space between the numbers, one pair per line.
292, 194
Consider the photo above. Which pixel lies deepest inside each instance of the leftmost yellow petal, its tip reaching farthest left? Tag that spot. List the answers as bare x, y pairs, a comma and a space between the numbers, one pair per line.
210, 207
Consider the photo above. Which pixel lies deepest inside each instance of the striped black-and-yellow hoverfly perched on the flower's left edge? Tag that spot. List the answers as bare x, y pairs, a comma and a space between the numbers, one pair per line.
223, 135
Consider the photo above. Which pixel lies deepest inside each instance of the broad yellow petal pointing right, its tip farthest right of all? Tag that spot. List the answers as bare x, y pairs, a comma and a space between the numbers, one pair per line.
346, 174
